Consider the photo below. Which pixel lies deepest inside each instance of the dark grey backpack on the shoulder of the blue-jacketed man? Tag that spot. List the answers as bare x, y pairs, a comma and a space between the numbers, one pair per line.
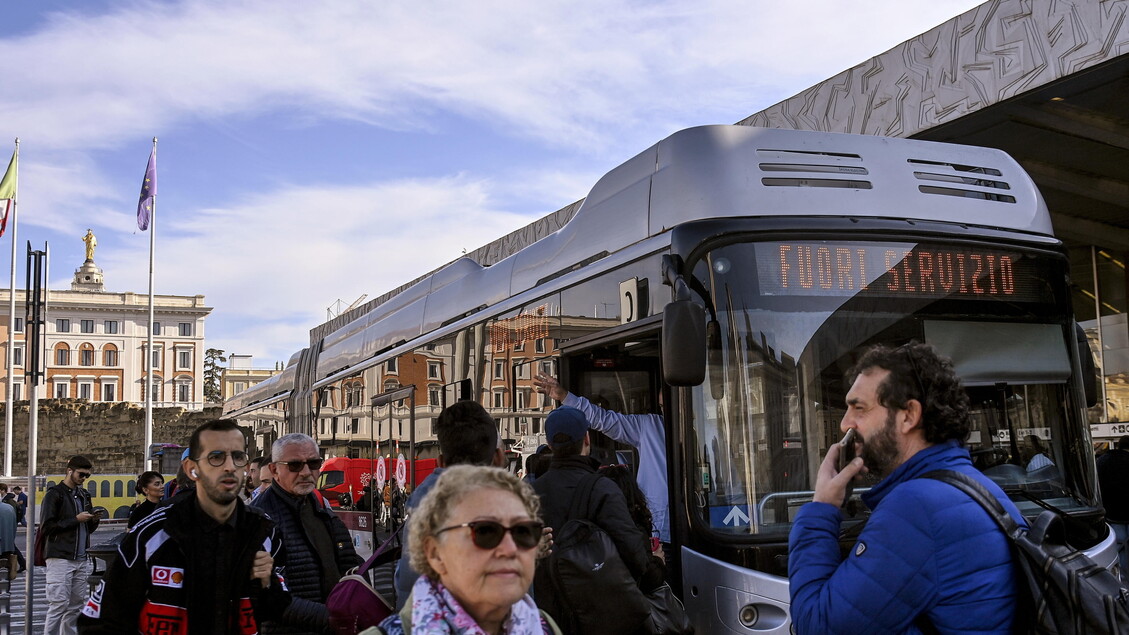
1062, 591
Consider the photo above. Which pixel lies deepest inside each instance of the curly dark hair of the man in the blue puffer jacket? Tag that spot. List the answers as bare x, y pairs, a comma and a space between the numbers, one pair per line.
917, 371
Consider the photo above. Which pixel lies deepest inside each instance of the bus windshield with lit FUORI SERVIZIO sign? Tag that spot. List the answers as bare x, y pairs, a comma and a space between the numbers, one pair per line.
793, 317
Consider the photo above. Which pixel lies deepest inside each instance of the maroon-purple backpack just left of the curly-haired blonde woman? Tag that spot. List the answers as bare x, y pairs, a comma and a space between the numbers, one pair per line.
354, 605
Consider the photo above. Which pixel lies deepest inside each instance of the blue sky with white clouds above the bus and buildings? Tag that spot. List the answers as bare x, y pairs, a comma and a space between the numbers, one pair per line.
312, 153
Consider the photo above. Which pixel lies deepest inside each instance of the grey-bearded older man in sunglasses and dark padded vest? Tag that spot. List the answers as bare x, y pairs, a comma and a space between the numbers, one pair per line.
319, 549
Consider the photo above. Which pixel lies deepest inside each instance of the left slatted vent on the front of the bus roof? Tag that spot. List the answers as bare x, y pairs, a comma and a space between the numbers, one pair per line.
820, 170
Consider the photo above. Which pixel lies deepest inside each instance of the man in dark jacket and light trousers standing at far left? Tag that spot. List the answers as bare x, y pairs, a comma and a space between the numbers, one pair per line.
67, 525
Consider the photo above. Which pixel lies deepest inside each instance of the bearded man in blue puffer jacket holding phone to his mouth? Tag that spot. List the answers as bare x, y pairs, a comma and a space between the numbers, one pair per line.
930, 559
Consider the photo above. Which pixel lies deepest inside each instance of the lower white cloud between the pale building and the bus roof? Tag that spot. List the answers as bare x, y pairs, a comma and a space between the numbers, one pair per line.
279, 259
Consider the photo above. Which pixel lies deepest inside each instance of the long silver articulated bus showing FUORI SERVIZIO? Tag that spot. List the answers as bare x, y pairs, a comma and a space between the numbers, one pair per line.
739, 273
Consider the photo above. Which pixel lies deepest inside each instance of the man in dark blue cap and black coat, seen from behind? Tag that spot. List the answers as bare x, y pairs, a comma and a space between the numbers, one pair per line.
567, 430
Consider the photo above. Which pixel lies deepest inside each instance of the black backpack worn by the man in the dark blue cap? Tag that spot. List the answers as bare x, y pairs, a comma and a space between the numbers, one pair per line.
590, 578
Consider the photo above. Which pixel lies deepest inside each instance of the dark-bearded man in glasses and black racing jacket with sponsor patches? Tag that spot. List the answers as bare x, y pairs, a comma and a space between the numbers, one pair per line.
202, 564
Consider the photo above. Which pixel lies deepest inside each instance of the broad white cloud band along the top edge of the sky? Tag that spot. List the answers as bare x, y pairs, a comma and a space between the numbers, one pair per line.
561, 72
